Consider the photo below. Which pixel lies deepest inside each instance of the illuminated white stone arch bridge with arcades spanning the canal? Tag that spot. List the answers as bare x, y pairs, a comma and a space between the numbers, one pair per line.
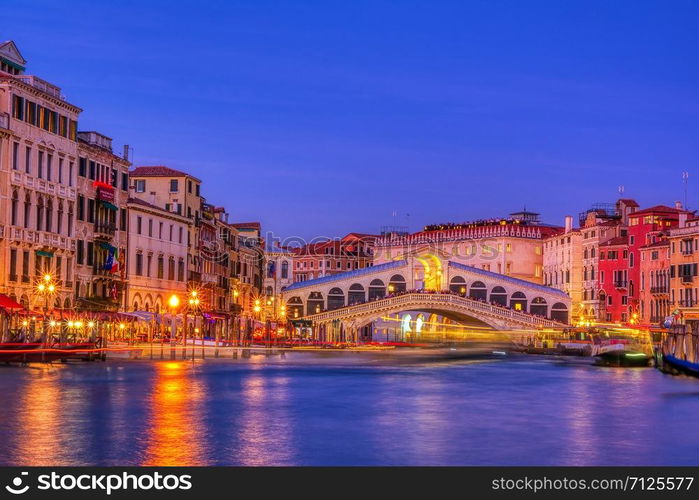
422, 289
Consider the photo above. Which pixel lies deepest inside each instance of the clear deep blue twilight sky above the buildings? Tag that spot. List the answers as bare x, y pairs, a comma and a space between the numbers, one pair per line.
320, 118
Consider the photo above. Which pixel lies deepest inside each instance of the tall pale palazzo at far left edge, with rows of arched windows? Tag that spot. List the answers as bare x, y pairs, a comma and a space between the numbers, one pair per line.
38, 158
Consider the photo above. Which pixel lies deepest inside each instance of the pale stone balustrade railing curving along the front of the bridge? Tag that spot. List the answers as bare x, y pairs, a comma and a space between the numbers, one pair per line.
410, 299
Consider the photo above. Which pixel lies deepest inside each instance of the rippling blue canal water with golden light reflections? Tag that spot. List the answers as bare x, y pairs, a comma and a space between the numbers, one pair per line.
339, 409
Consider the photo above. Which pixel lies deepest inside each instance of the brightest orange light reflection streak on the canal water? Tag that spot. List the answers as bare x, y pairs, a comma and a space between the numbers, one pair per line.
175, 434
